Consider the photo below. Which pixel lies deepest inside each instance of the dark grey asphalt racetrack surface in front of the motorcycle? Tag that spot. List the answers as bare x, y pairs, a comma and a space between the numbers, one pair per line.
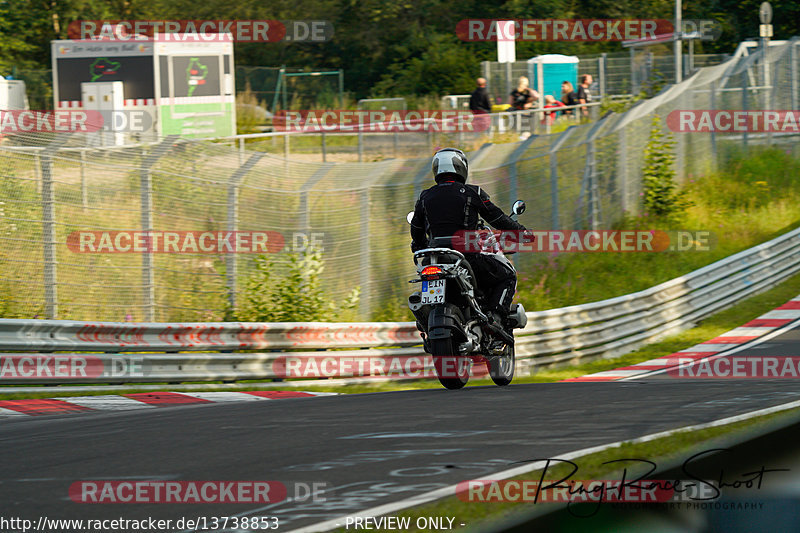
367, 449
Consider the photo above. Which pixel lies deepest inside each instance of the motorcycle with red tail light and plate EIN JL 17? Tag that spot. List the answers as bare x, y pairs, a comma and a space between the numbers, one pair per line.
449, 309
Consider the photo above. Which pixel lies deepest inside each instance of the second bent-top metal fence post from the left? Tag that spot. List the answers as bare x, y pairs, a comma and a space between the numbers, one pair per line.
146, 192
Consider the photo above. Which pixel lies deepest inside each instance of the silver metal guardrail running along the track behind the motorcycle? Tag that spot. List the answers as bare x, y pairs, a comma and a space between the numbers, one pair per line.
553, 337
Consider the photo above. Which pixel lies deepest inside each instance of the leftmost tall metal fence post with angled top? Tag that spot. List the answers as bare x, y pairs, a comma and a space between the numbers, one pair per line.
49, 226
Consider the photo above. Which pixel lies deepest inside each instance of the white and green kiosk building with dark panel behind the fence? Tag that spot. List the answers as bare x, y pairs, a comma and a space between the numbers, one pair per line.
185, 86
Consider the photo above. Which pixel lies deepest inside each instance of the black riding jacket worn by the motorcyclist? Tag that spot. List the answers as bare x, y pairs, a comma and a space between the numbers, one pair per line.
450, 206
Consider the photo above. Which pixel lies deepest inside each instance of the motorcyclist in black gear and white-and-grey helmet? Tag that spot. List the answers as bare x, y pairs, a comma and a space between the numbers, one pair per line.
451, 206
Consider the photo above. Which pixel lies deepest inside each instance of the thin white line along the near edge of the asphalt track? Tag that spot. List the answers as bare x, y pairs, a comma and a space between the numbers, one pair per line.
505, 474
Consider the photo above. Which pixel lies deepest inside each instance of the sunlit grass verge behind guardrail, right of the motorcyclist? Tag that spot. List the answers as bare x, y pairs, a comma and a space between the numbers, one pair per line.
753, 198
